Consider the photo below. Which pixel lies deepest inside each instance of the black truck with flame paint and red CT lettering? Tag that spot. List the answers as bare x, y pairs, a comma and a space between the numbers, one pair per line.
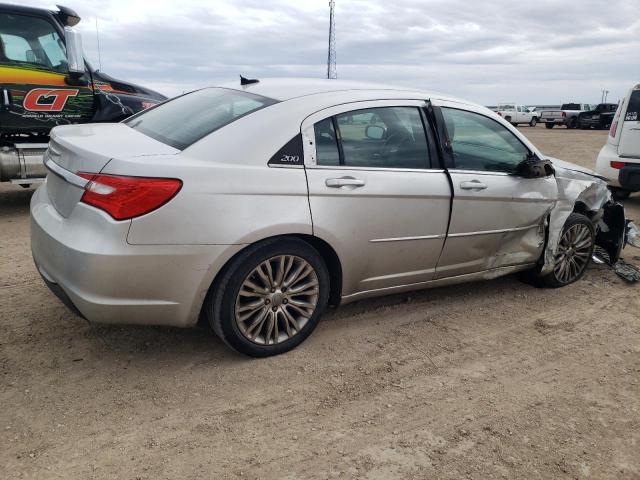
45, 81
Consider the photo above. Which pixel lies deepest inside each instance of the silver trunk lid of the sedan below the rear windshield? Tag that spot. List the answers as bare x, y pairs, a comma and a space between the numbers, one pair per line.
88, 148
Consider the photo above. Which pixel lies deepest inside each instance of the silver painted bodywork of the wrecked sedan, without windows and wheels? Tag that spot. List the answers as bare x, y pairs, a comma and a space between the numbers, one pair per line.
391, 231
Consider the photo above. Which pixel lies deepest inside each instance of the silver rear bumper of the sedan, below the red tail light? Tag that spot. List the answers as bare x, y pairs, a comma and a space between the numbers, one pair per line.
87, 262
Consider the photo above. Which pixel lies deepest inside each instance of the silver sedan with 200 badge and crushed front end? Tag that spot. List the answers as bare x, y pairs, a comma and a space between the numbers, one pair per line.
253, 207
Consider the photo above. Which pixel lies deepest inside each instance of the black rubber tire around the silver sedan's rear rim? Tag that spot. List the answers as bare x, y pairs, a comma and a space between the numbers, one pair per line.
220, 305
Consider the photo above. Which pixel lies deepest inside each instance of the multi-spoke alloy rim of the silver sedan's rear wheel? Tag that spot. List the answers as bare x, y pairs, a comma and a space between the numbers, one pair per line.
277, 299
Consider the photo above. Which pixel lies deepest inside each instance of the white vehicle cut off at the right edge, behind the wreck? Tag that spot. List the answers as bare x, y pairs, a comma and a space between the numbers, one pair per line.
619, 159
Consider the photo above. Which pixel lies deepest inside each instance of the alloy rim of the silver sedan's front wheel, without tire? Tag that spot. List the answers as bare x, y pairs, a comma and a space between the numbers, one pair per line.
574, 252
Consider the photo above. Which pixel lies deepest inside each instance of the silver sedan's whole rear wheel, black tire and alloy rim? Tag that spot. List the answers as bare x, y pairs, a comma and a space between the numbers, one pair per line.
270, 298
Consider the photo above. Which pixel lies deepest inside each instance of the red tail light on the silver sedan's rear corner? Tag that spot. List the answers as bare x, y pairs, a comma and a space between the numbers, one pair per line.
128, 197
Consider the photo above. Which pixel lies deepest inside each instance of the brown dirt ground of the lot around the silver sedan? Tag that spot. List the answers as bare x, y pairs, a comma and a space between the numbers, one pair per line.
486, 380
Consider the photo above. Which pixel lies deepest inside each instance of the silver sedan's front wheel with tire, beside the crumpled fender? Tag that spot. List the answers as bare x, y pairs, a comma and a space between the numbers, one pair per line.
574, 252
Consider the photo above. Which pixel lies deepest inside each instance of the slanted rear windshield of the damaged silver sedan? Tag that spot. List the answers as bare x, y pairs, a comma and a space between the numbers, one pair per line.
186, 119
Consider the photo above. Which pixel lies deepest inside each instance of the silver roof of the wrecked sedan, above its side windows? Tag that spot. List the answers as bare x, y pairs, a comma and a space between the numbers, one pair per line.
283, 89
